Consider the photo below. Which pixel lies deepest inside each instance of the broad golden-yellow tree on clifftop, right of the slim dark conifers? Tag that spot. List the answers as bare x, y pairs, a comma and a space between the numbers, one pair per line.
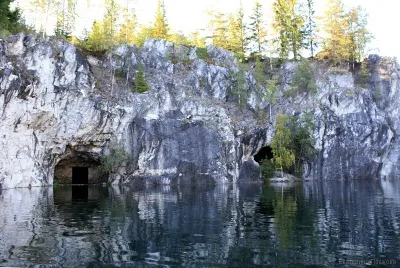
335, 25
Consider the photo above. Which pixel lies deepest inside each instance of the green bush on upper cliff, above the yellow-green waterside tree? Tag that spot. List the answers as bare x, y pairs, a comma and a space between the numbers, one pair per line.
304, 80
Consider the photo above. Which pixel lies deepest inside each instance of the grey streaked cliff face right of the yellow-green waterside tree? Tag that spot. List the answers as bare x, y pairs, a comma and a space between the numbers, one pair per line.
356, 121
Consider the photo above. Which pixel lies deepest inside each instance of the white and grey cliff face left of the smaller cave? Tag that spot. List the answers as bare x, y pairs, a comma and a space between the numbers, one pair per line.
57, 108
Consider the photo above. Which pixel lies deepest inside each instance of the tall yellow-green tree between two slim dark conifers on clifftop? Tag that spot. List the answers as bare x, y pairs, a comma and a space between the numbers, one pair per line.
288, 24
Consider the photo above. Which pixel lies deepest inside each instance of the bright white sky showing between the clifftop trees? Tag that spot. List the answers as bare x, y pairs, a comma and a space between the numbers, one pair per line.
188, 16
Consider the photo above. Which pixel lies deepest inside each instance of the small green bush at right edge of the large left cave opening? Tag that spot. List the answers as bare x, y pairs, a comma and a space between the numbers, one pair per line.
116, 158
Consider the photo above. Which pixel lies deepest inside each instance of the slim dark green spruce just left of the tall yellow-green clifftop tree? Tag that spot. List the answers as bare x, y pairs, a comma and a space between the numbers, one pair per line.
257, 30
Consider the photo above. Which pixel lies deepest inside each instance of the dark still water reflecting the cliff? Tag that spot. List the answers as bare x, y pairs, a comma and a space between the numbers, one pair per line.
330, 224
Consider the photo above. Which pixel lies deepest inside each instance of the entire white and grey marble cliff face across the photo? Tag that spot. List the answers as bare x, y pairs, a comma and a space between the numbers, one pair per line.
60, 108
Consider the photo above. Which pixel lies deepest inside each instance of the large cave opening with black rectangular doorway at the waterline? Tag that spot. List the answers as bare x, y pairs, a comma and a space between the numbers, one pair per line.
79, 168
